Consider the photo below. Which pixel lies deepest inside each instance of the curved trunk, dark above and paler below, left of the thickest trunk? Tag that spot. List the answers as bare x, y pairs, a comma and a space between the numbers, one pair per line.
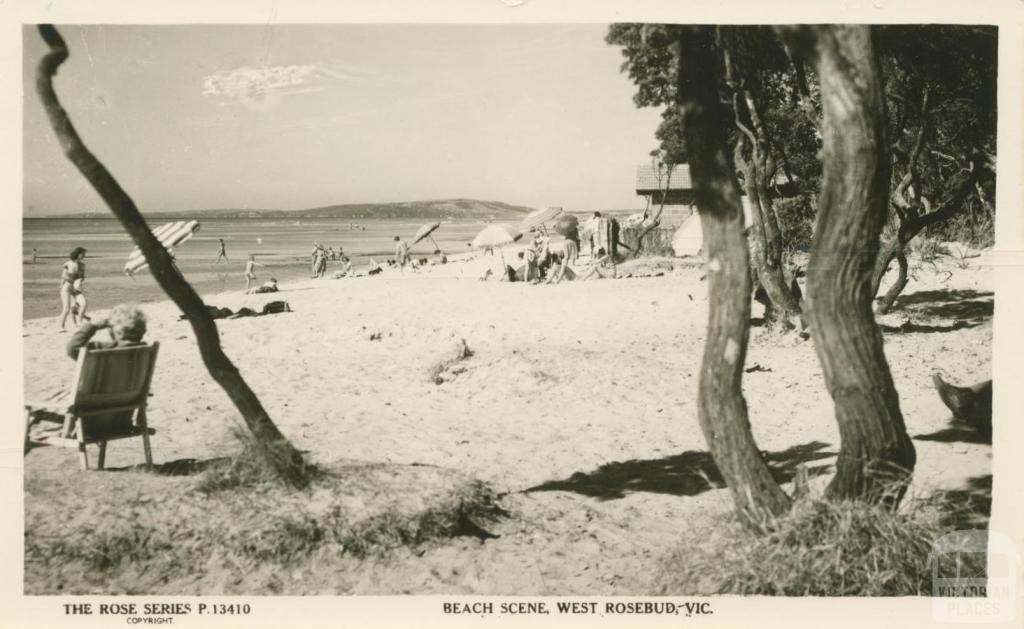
722, 410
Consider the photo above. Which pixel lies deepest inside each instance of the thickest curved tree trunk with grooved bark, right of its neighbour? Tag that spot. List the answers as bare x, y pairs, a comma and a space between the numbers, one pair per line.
877, 457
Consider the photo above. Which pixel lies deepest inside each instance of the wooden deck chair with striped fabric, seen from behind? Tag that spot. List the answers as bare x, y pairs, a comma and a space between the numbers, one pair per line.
107, 402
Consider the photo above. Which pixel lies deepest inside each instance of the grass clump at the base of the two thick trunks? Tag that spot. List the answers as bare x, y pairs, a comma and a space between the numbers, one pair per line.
821, 549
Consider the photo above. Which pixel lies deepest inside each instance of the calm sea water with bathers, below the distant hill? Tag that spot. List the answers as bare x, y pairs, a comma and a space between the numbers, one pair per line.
284, 246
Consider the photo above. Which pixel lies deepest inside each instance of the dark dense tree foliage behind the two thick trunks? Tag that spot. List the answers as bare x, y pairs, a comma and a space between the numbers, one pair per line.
941, 93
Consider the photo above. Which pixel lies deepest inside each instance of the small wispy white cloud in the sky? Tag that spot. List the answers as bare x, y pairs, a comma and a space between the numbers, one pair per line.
263, 89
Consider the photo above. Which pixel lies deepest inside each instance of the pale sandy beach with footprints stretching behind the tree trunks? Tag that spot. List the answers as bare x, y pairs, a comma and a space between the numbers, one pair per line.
578, 406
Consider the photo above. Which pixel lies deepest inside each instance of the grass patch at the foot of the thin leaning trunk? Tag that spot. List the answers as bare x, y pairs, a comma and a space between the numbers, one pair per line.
218, 527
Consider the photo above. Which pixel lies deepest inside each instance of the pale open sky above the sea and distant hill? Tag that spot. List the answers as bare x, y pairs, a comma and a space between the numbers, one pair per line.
302, 116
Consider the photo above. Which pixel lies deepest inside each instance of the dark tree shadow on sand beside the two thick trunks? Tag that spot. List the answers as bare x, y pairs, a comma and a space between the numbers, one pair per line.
689, 474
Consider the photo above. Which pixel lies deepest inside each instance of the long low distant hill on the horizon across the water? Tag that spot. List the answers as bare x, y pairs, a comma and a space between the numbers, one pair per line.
448, 208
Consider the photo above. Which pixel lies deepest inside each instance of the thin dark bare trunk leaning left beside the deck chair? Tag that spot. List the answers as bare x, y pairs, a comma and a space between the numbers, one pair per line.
280, 453
